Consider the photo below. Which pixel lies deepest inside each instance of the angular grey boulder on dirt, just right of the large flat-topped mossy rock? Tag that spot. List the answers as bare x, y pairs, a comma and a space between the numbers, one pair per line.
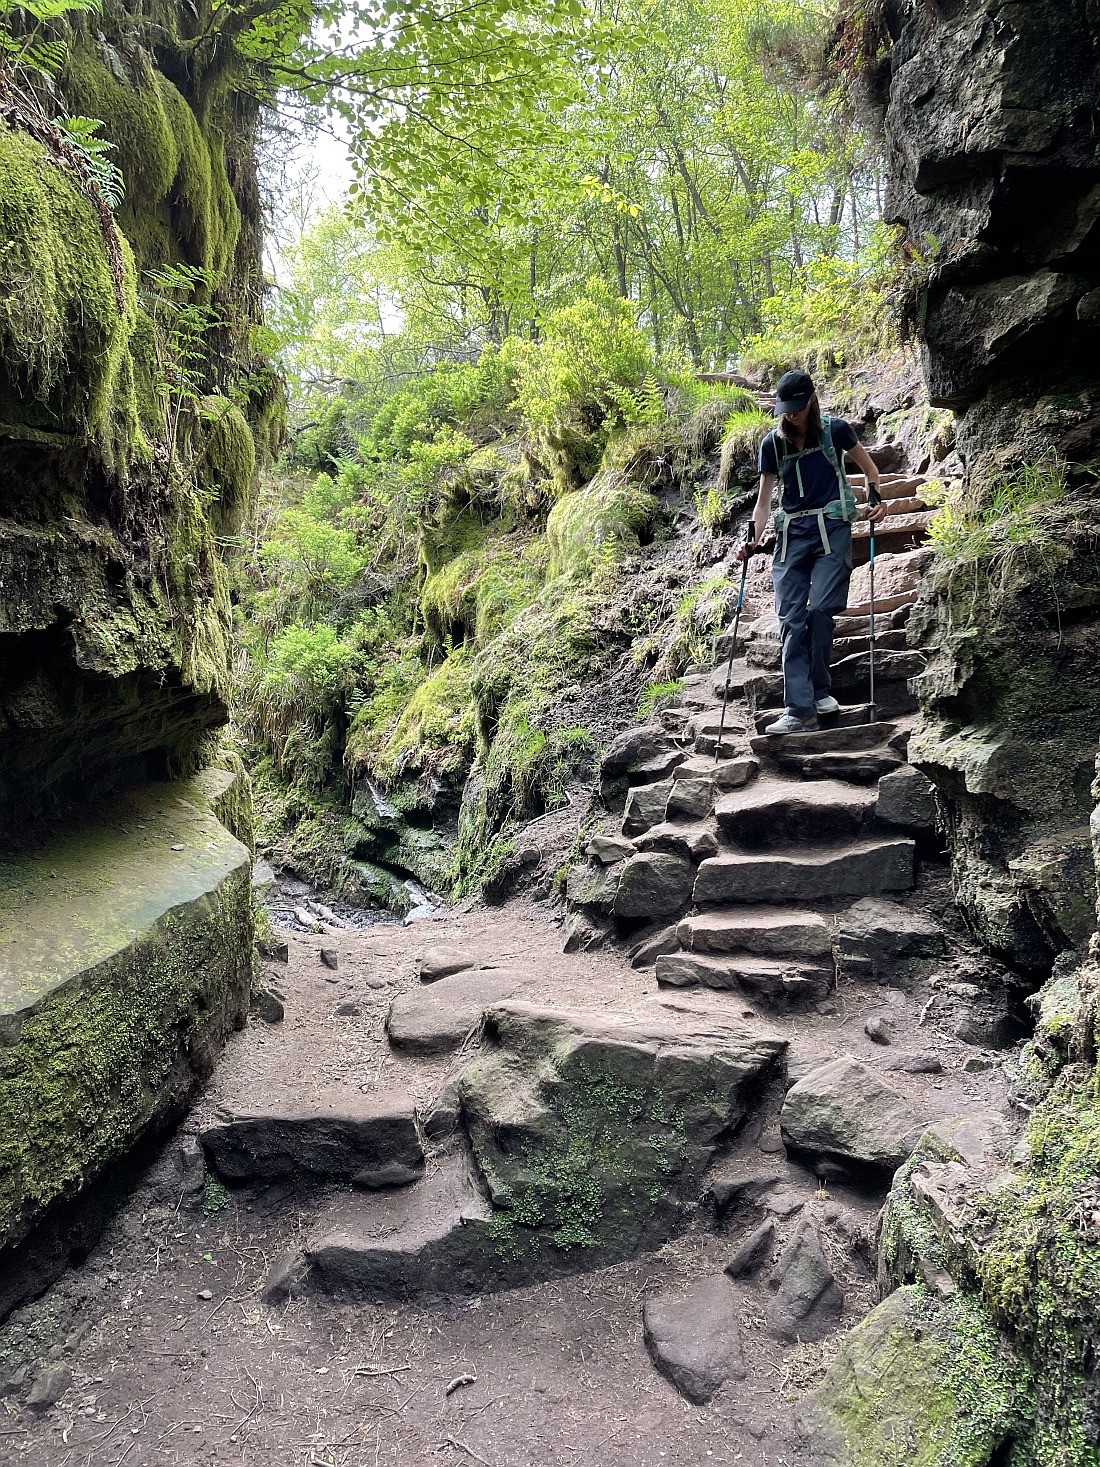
846, 1111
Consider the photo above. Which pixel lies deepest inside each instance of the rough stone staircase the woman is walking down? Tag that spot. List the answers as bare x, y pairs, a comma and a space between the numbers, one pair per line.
775, 837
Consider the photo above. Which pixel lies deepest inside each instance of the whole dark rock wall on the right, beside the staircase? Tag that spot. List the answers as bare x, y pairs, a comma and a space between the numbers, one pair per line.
991, 115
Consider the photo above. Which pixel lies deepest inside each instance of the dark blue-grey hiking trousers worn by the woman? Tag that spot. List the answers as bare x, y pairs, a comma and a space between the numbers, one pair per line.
812, 590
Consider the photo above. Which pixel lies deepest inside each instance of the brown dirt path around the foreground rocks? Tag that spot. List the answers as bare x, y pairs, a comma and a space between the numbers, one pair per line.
172, 1359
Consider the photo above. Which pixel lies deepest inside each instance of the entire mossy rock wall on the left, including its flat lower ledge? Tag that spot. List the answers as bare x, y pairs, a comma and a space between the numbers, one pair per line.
133, 417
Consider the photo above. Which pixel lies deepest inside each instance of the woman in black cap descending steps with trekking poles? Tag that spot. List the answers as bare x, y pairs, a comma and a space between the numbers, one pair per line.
813, 561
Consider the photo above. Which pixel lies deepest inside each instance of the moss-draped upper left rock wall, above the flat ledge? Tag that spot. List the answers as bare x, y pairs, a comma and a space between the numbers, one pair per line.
130, 435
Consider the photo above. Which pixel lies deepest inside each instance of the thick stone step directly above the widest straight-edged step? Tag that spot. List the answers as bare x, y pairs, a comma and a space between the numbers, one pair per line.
781, 812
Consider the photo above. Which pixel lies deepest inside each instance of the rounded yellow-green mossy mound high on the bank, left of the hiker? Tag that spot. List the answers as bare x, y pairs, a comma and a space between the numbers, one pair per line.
598, 524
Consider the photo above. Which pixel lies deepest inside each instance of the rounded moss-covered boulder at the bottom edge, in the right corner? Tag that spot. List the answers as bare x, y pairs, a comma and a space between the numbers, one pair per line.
922, 1381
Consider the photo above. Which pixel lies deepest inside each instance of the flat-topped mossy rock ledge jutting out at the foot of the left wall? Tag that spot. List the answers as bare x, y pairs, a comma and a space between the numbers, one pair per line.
125, 962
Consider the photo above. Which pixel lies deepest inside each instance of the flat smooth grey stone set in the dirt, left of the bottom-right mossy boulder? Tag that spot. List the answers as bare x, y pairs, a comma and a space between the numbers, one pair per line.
693, 1337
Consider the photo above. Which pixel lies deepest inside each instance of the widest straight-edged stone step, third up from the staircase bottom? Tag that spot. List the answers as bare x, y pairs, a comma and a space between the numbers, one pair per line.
860, 869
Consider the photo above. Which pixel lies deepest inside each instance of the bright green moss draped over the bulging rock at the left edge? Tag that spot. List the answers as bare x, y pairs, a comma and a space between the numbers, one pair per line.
65, 362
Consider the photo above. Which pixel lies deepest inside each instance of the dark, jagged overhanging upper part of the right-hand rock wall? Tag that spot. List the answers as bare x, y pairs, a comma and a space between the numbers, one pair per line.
995, 174
